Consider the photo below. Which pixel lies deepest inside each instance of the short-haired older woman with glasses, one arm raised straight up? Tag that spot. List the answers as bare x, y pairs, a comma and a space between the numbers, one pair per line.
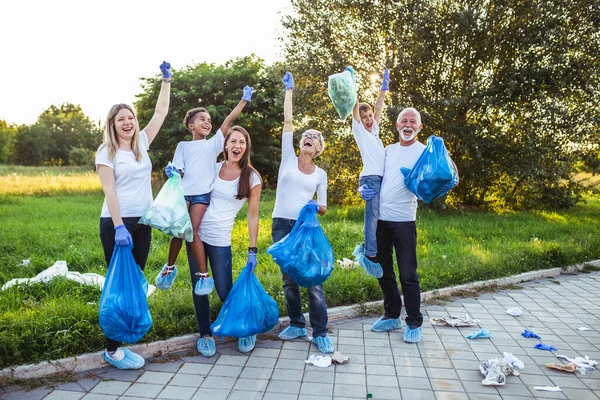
298, 180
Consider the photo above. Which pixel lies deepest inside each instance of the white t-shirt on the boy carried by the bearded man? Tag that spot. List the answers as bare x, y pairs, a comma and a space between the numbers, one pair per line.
371, 148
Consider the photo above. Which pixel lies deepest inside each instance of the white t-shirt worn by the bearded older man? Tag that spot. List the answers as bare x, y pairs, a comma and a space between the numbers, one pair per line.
396, 202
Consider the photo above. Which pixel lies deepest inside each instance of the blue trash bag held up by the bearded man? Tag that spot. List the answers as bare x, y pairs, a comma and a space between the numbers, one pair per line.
433, 174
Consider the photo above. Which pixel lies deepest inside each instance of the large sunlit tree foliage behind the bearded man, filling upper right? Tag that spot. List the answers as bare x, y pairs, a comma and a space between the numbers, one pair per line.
512, 86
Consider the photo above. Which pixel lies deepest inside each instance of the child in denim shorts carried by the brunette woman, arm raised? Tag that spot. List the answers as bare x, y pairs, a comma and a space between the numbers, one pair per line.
195, 161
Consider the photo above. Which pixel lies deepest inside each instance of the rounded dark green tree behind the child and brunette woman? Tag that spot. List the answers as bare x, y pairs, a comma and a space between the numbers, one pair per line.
218, 88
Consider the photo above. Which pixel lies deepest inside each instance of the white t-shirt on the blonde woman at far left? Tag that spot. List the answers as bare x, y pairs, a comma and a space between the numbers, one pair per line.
132, 179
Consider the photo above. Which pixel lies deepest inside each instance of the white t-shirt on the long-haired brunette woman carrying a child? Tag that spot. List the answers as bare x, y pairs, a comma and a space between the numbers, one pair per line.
217, 223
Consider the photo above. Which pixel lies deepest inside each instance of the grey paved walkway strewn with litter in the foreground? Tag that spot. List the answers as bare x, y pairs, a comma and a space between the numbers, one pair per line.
443, 366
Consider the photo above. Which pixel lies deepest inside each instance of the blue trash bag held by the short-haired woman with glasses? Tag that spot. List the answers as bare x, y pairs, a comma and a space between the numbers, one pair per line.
305, 253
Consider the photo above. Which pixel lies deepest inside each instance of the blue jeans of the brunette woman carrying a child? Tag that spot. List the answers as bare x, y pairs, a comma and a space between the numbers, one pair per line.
219, 260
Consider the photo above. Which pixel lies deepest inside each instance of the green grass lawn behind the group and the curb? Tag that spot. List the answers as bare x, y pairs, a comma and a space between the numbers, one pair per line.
53, 213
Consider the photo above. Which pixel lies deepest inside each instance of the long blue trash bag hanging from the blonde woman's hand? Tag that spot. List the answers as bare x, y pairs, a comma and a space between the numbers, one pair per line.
124, 312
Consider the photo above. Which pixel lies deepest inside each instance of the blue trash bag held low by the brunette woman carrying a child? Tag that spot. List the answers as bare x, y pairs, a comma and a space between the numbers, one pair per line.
248, 309
